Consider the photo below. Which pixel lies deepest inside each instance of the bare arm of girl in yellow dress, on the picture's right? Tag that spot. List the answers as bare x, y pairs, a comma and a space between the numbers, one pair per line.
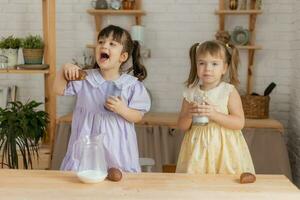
235, 119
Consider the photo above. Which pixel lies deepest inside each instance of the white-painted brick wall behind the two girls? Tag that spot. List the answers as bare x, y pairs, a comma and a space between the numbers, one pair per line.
172, 26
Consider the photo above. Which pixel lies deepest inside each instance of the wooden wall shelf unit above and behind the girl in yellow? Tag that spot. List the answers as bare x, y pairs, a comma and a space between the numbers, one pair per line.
223, 11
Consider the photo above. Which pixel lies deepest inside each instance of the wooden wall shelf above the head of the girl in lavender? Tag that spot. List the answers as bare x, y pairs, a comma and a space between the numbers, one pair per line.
98, 14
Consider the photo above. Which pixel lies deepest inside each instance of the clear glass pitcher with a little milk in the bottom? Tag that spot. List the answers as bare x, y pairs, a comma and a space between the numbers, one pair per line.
89, 153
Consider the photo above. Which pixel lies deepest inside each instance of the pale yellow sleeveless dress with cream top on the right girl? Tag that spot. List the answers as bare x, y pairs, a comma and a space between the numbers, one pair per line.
213, 149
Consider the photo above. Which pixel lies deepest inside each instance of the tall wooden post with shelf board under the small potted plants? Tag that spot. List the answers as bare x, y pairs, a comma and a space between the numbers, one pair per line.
49, 36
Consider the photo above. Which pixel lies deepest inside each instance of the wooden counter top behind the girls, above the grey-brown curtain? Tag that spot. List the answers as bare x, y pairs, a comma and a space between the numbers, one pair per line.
170, 120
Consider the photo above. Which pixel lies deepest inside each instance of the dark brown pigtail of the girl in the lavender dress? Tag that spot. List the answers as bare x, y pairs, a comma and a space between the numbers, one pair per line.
139, 69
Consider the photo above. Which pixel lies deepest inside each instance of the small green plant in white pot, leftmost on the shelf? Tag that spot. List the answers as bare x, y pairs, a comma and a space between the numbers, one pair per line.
9, 48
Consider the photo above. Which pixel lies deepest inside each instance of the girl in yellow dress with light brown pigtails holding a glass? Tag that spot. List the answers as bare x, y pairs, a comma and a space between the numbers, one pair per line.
216, 147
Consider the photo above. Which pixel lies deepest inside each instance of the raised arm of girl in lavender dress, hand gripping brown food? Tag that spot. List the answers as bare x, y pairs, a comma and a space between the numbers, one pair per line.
68, 72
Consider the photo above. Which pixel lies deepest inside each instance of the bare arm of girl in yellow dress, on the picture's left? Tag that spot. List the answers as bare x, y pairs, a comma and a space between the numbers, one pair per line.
185, 117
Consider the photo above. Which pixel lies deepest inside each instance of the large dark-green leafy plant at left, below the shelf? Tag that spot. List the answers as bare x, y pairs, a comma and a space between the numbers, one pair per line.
21, 129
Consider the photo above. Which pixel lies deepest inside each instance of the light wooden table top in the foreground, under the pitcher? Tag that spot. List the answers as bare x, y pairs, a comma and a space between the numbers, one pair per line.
37, 185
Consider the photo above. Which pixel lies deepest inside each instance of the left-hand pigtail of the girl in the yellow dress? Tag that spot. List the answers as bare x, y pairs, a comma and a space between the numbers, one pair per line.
193, 71
